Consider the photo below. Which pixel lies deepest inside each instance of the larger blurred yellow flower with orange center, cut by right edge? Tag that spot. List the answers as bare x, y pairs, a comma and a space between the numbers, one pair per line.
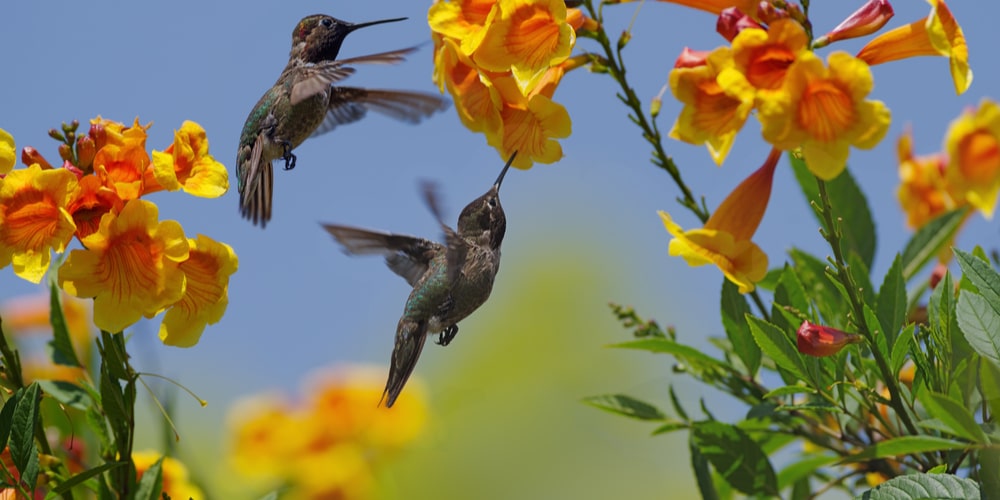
973, 148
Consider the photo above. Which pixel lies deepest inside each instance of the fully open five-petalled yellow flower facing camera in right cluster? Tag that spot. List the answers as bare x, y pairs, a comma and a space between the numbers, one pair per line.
824, 111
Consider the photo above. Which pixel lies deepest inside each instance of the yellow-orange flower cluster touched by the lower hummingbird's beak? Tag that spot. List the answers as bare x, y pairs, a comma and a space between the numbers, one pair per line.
501, 60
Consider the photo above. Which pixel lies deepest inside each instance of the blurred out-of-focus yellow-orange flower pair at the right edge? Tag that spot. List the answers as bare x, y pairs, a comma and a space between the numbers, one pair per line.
966, 173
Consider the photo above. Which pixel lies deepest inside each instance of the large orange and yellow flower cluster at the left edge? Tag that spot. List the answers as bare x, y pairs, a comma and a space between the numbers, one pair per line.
132, 263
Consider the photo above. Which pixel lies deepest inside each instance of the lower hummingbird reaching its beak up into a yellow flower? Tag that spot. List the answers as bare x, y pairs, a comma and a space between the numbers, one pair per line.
449, 281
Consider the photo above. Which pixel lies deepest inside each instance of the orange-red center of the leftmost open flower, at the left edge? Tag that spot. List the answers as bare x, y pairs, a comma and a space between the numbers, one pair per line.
31, 220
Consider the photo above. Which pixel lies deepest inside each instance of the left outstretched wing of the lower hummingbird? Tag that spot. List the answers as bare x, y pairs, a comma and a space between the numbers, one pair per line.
407, 256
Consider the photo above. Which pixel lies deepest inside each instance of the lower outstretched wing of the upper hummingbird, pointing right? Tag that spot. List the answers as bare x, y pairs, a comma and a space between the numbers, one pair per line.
350, 104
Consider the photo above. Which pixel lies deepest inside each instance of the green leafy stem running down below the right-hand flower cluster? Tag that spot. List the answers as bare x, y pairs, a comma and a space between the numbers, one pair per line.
832, 235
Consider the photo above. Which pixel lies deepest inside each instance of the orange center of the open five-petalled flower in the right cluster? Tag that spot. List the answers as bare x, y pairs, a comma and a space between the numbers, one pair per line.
826, 111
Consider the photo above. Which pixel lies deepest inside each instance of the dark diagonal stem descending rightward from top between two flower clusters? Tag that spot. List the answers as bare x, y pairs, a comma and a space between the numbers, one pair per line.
616, 68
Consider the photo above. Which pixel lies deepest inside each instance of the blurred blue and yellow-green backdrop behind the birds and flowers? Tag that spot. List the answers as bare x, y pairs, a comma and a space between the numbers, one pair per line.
506, 419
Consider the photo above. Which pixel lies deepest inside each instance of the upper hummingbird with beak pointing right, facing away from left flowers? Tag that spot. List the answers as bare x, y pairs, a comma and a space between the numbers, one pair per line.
303, 103
